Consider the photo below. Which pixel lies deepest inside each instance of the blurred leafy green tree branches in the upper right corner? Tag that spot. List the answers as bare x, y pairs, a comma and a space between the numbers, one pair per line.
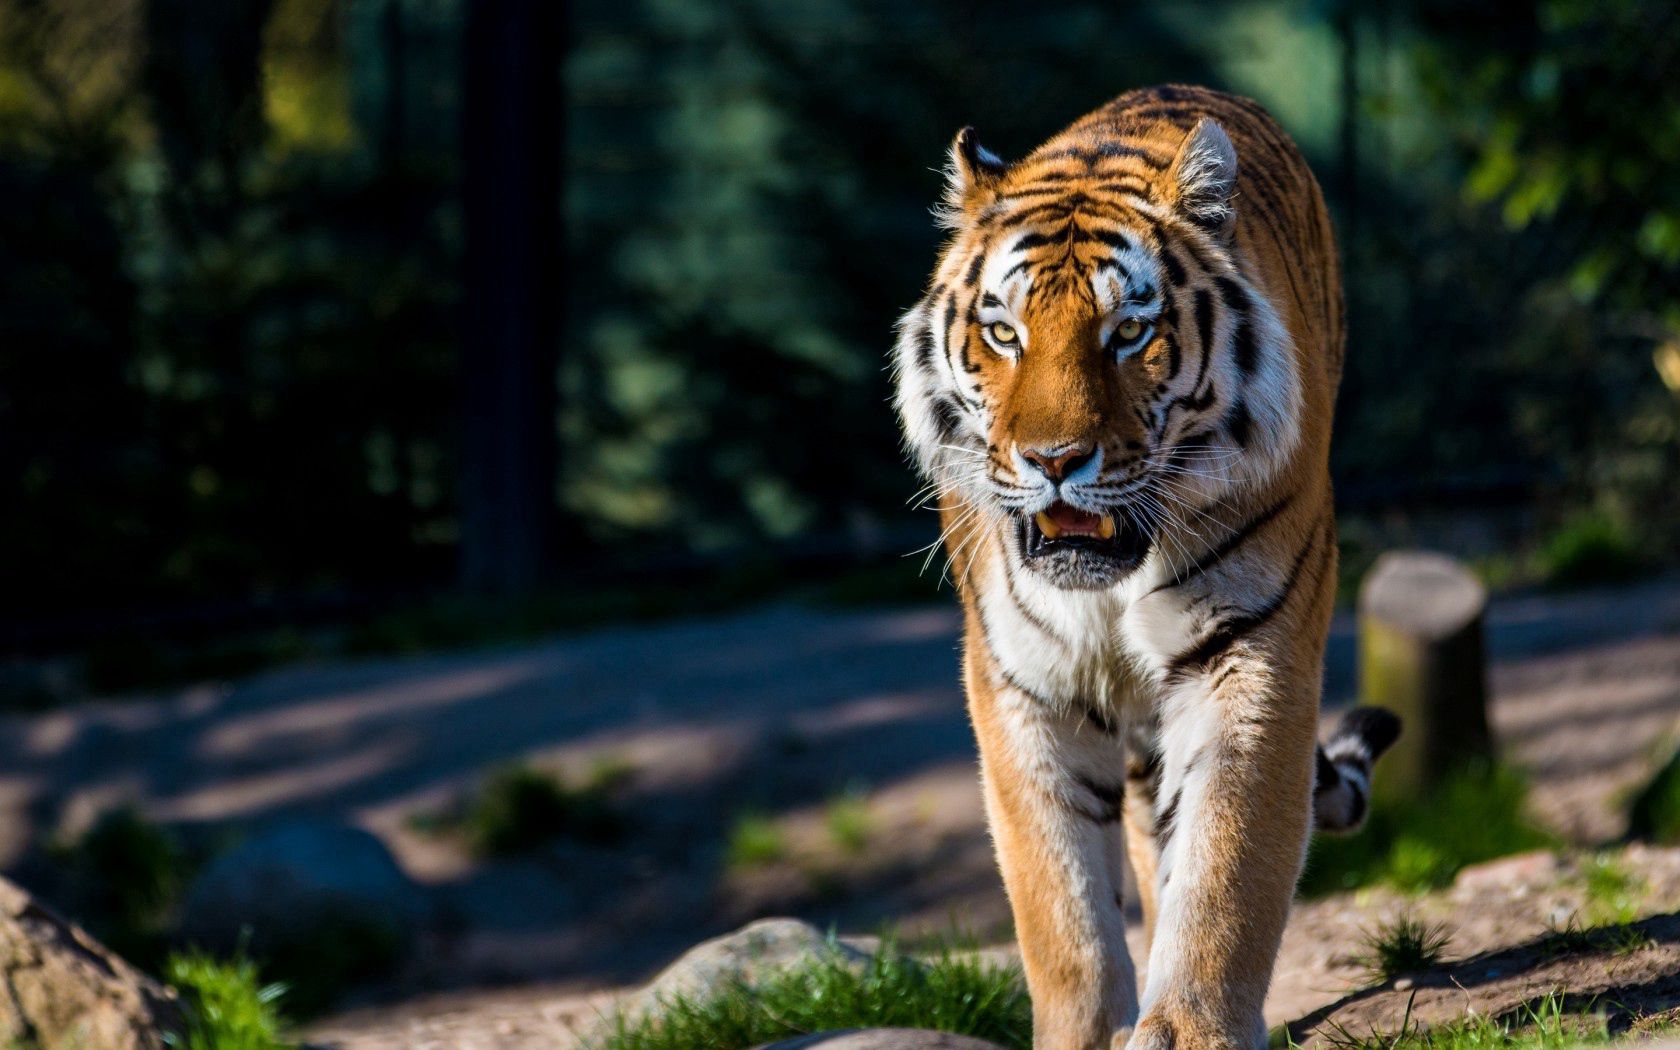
1573, 139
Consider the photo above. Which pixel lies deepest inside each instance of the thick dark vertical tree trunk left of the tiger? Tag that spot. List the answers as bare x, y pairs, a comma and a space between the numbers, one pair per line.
512, 142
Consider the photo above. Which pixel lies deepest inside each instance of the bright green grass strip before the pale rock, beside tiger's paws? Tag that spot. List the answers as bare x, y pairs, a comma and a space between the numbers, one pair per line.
947, 992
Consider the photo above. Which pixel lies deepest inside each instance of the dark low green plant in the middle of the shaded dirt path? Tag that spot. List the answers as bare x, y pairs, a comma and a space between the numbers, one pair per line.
522, 809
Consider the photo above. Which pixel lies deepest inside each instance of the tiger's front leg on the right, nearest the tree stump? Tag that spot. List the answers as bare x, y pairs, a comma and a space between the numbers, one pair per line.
1232, 822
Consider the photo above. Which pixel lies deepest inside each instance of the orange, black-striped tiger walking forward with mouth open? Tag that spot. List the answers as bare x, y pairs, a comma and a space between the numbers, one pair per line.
1120, 387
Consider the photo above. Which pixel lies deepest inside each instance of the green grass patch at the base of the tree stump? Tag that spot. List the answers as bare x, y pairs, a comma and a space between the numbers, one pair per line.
1422, 844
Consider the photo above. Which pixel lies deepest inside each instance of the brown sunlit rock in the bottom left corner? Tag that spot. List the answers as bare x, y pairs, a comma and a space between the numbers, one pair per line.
63, 989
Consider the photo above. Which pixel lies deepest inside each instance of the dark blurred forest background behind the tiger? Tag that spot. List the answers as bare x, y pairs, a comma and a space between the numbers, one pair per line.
310, 308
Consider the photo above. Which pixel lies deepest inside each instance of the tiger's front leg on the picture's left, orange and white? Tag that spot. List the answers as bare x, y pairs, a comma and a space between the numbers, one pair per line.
1054, 784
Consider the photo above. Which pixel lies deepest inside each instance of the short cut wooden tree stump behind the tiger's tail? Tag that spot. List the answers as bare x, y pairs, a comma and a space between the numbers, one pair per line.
1422, 658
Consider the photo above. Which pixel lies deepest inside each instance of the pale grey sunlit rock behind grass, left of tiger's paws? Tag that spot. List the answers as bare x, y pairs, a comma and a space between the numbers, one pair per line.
748, 955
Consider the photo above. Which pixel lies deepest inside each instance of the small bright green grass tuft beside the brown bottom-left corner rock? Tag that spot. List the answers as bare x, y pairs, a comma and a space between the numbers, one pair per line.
228, 1005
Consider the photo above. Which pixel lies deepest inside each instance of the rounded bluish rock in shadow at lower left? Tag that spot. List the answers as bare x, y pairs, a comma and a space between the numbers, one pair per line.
302, 885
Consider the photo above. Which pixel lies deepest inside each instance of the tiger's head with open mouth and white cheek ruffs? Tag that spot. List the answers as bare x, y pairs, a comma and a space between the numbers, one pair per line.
1089, 369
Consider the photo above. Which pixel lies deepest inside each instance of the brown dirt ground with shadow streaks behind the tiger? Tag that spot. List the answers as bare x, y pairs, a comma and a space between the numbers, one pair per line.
777, 711
